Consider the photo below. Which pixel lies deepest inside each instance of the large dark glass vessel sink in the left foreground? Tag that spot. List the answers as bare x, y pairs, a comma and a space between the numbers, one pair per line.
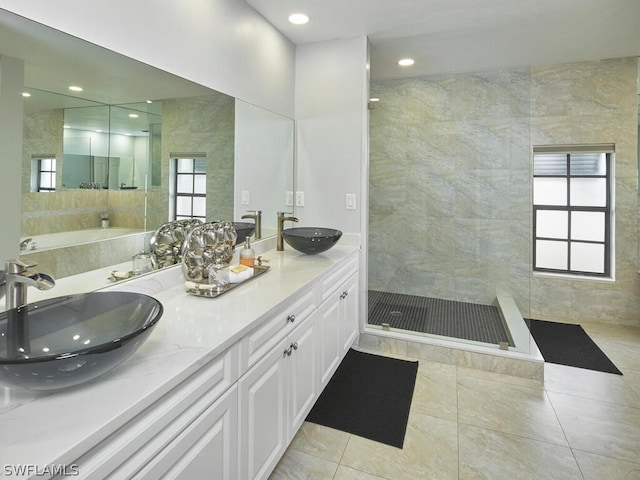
65, 341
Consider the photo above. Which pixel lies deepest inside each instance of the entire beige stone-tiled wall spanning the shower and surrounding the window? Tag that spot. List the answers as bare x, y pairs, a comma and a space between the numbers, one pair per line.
450, 212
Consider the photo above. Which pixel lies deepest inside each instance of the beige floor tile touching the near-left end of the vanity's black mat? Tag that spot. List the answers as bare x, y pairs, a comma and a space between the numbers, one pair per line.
324, 442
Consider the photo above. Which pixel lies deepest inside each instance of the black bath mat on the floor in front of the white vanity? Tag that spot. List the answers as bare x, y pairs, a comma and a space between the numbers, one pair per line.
369, 396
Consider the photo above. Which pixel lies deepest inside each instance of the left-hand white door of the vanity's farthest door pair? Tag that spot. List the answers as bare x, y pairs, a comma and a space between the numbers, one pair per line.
329, 329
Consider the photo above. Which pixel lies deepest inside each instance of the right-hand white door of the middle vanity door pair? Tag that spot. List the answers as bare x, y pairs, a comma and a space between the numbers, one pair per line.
303, 373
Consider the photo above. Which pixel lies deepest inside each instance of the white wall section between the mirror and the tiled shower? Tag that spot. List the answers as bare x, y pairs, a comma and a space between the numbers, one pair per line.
331, 105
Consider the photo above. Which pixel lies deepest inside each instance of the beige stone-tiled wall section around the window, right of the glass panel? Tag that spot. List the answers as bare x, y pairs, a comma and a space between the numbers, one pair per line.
593, 102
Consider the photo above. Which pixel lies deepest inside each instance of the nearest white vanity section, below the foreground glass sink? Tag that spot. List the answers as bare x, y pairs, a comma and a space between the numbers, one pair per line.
193, 428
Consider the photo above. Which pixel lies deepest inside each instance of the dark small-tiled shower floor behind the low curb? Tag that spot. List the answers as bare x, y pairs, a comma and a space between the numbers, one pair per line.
448, 318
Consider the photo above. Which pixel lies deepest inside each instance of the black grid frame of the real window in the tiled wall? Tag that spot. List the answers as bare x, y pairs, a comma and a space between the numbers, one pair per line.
607, 210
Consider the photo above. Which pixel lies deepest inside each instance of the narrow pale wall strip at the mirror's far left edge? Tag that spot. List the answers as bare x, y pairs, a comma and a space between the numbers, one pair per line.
11, 81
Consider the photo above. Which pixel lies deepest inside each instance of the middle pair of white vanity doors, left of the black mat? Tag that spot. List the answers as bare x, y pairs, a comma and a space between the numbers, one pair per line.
276, 395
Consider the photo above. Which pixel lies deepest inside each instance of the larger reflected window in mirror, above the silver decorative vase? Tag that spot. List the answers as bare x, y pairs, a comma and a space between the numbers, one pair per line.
190, 187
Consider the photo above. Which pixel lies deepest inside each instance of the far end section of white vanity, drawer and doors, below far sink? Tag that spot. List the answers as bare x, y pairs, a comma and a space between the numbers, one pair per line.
338, 317
